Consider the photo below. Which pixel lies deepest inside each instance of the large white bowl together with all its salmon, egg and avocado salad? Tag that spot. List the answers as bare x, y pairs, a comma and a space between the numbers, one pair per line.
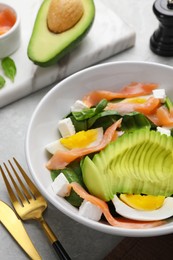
106, 157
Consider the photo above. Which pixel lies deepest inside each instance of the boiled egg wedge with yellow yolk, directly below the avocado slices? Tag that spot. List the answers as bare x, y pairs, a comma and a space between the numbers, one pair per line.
143, 208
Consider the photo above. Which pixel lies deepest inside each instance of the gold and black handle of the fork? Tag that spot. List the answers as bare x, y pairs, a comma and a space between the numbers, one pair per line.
59, 249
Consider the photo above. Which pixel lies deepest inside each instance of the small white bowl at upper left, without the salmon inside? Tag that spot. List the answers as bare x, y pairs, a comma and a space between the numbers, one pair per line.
10, 41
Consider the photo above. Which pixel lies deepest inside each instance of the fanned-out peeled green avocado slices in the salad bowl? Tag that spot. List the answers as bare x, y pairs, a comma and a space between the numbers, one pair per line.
140, 162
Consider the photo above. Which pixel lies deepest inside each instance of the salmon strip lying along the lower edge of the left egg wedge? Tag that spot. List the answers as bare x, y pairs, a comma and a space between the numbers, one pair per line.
62, 158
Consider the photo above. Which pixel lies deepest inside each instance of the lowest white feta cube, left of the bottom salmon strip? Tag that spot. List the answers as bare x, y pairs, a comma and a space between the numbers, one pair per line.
90, 211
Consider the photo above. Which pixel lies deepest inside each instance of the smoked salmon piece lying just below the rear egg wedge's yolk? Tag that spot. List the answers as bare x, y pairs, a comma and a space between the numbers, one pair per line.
125, 107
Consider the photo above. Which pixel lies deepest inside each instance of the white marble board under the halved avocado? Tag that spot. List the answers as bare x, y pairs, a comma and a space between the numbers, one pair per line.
108, 36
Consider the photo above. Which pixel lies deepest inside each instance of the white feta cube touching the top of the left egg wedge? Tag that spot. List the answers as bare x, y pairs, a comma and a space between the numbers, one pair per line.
66, 127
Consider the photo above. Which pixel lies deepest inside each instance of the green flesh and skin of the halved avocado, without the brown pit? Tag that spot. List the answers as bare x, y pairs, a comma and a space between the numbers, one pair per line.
46, 48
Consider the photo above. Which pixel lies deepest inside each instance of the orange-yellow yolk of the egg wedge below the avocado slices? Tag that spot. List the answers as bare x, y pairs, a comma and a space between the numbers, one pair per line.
143, 202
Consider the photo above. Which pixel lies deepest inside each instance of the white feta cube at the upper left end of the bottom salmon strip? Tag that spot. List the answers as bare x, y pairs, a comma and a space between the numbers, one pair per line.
60, 185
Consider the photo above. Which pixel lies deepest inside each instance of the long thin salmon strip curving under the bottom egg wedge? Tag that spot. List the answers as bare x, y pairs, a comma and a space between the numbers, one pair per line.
123, 222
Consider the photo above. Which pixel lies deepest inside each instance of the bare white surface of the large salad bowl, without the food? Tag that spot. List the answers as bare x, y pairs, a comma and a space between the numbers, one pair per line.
56, 104
